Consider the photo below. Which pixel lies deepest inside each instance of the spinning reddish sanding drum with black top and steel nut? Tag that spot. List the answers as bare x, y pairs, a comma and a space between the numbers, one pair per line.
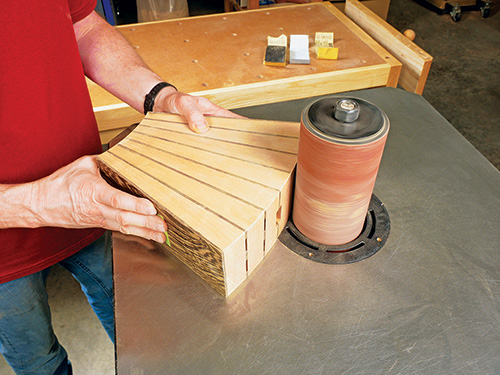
340, 148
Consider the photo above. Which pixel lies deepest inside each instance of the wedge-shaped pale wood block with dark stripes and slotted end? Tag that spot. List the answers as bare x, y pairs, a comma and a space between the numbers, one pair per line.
225, 194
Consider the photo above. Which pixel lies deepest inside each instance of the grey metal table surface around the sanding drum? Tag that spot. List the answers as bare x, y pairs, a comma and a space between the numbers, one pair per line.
427, 303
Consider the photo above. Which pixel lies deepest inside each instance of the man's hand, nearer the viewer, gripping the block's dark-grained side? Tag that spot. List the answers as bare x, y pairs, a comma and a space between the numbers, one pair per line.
76, 196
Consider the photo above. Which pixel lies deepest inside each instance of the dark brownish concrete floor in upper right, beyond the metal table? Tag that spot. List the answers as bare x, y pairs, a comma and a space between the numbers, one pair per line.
464, 80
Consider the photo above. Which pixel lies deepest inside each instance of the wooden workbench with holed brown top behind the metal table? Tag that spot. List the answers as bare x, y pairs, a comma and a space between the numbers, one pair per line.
221, 56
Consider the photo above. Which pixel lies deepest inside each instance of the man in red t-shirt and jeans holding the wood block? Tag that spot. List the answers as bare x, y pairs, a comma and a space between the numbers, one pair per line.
54, 205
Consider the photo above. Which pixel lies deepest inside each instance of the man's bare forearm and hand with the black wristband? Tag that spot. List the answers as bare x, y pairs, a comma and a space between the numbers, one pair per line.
110, 61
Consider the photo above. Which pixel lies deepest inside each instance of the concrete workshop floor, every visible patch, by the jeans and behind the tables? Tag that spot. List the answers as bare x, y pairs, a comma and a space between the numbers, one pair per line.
463, 85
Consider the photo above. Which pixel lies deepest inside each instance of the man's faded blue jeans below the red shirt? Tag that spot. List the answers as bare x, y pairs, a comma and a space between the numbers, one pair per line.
27, 340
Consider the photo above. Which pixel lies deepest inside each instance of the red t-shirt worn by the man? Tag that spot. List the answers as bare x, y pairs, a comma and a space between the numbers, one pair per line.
46, 120
